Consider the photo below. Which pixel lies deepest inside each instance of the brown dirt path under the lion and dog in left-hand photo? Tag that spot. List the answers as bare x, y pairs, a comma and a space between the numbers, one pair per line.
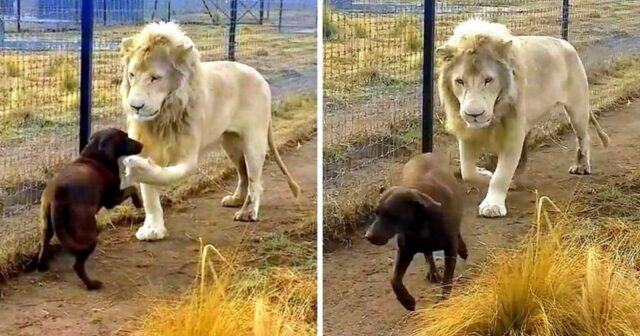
134, 273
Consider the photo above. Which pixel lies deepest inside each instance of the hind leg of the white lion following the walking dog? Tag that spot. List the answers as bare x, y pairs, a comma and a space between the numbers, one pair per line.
579, 116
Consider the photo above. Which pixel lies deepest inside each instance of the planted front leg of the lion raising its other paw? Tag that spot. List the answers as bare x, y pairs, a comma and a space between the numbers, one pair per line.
153, 227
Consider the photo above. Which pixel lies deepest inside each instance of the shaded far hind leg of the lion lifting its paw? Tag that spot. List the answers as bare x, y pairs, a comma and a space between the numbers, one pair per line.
232, 144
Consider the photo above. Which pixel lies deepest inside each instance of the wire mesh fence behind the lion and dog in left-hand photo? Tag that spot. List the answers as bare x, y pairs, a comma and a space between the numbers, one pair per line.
40, 71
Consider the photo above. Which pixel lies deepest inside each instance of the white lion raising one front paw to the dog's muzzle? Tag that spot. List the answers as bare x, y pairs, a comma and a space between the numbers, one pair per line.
181, 108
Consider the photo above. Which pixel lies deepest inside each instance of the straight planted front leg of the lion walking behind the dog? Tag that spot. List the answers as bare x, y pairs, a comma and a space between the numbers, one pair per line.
493, 204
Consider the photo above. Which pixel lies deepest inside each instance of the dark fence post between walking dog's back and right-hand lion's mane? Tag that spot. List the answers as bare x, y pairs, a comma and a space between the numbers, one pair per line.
428, 43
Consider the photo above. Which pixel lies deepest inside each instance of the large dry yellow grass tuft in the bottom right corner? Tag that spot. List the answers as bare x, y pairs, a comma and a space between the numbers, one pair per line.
556, 284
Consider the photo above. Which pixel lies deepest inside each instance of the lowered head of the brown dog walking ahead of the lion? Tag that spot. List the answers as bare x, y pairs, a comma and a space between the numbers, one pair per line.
401, 210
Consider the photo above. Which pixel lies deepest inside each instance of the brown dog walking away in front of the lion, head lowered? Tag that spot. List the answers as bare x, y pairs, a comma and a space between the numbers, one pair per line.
425, 211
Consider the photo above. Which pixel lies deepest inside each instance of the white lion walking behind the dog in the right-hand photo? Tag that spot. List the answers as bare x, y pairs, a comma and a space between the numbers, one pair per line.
495, 86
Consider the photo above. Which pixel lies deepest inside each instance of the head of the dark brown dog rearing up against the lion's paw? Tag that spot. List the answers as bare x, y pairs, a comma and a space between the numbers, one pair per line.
112, 144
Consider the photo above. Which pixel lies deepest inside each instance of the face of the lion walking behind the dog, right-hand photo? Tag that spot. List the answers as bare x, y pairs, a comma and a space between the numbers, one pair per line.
477, 82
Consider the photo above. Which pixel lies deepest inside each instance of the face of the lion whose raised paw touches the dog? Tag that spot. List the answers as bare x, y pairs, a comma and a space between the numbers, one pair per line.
150, 82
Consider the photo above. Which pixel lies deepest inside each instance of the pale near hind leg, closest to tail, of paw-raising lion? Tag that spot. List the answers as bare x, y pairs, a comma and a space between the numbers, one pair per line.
255, 151
